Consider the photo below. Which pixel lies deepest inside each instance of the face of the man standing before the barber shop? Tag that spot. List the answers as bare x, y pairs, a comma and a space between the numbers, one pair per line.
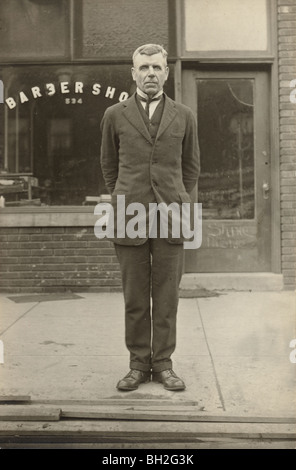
150, 73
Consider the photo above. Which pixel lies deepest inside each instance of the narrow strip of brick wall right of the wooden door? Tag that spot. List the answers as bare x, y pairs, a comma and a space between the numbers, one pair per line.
287, 72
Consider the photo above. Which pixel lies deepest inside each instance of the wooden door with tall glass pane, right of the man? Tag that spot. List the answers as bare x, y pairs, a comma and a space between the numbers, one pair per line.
232, 110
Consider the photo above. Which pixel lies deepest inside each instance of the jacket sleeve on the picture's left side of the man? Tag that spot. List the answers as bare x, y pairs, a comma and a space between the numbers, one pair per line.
109, 151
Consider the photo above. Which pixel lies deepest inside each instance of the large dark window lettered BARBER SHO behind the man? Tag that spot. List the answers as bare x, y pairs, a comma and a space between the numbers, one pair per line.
51, 124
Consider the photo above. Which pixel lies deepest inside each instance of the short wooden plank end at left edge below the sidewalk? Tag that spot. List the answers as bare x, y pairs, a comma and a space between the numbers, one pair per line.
28, 413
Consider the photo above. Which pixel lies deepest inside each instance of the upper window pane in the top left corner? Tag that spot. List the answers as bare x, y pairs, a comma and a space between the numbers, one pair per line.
34, 29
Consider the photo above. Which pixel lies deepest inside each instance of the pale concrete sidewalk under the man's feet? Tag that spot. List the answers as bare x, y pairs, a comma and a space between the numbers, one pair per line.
232, 351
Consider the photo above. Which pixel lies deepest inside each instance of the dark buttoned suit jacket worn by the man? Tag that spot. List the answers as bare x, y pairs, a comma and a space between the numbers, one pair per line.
145, 171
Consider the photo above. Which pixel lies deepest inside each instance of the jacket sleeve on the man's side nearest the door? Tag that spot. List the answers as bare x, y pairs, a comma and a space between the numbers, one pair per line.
190, 154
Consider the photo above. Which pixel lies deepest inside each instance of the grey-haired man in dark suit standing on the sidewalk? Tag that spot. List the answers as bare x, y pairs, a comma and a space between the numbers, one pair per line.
150, 155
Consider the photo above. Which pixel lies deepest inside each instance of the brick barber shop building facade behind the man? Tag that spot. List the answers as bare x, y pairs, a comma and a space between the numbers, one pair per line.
63, 62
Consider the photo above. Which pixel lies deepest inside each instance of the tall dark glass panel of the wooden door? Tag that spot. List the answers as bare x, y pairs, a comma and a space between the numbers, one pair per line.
226, 137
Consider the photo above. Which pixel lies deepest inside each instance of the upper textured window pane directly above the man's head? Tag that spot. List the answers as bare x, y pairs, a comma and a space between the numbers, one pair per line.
117, 28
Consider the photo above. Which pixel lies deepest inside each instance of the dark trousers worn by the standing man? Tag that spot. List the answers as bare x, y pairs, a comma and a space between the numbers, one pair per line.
151, 274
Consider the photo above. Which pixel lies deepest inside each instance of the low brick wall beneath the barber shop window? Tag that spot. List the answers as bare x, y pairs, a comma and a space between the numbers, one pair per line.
57, 259
